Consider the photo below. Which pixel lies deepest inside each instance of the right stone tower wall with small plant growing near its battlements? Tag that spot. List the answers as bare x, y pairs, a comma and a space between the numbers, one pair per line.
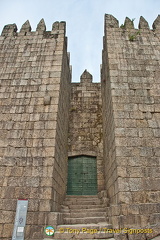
130, 86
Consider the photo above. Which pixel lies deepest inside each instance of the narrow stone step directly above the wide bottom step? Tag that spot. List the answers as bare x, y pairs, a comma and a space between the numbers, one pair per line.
84, 220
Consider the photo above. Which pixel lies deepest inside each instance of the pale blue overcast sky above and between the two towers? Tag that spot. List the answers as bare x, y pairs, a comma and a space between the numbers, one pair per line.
85, 23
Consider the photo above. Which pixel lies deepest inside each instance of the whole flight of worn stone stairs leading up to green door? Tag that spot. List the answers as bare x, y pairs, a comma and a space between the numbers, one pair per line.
84, 218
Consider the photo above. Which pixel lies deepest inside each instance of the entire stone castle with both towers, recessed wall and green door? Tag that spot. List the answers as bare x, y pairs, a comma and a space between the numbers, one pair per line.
80, 153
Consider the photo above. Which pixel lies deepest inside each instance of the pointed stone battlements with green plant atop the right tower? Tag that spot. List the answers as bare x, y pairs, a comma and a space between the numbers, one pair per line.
112, 22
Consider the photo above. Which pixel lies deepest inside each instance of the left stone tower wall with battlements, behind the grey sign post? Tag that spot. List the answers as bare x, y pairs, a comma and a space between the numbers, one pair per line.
34, 98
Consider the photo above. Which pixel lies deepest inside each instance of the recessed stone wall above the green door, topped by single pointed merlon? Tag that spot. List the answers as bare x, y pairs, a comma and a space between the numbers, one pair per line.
85, 122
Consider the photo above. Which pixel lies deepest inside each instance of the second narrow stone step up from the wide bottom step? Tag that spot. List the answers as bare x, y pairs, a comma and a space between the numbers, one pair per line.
84, 214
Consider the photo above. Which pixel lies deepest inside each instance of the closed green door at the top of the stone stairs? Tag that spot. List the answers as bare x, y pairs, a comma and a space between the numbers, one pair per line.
82, 176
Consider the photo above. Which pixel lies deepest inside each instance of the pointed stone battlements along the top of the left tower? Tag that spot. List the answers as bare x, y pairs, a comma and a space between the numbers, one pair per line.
11, 29
